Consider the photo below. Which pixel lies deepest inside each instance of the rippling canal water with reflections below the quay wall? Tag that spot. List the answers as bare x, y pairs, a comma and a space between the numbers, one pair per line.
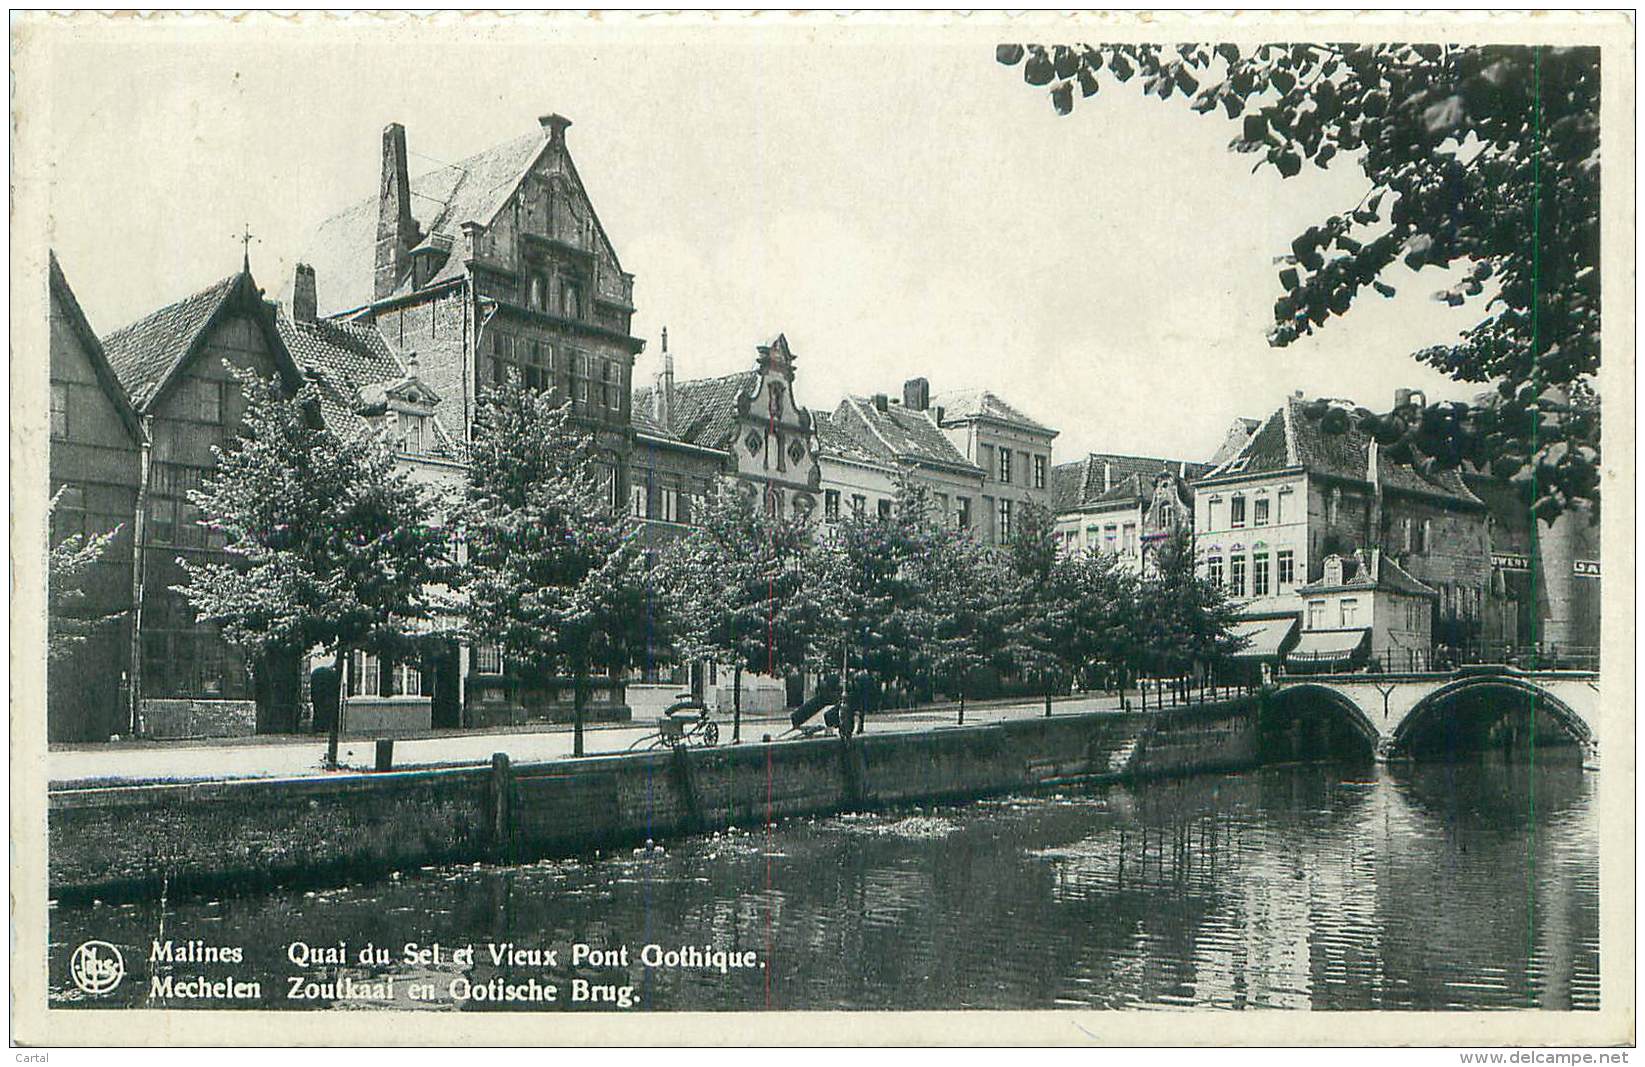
1292, 887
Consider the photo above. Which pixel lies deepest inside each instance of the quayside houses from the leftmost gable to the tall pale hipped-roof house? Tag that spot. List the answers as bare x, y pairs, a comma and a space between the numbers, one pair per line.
402, 312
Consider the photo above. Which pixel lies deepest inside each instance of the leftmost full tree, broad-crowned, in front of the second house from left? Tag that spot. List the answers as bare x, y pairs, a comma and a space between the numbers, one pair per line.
328, 545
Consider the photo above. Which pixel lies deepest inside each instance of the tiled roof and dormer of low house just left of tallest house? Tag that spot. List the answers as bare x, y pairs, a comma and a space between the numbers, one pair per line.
348, 363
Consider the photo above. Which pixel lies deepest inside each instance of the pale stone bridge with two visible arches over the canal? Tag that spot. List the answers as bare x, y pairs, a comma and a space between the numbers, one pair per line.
1389, 709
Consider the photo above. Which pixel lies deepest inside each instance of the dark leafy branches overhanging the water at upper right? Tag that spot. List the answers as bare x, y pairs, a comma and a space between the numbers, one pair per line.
1476, 155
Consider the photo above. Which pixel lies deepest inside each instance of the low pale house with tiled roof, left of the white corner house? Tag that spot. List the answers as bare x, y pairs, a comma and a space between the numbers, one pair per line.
1124, 506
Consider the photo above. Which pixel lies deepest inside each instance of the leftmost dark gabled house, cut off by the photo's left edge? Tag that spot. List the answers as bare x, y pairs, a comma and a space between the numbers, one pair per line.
96, 469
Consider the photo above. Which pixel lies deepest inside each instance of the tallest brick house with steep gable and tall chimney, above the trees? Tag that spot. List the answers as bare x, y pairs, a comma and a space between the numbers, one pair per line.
489, 269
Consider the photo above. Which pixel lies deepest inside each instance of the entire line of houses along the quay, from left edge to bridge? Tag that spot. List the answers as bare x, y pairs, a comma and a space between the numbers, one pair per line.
409, 305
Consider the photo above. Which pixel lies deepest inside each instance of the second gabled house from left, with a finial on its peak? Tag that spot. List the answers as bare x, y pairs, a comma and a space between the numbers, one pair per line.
177, 364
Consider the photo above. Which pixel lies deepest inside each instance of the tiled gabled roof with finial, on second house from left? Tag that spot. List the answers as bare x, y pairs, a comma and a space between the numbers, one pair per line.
151, 353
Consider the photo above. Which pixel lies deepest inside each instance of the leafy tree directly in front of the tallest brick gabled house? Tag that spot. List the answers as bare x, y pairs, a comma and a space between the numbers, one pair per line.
555, 575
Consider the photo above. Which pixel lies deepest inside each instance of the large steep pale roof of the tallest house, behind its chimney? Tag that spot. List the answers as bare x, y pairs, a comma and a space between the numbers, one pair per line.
343, 251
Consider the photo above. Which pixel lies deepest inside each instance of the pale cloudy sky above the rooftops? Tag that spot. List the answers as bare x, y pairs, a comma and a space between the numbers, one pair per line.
889, 198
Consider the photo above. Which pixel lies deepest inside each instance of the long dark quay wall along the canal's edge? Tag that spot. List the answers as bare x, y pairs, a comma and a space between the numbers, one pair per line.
249, 834
